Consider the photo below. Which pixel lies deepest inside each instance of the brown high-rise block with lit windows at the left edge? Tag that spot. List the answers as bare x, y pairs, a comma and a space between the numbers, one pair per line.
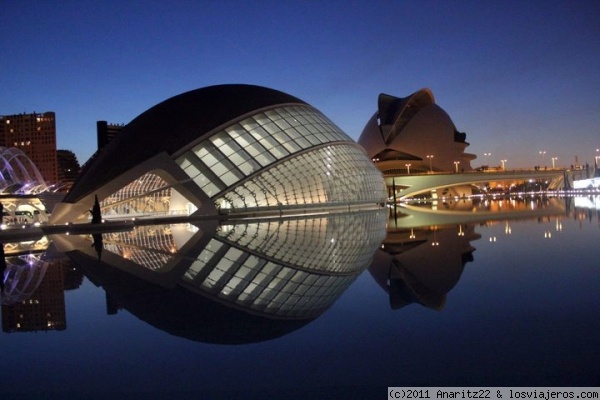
35, 135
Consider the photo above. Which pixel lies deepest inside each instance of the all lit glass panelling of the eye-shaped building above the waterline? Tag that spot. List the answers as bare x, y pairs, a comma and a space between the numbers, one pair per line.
281, 158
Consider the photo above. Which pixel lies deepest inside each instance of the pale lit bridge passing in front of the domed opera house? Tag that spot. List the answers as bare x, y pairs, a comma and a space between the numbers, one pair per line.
415, 184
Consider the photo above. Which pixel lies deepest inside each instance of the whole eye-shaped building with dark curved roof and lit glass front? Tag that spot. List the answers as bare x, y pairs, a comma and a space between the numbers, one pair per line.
221, 150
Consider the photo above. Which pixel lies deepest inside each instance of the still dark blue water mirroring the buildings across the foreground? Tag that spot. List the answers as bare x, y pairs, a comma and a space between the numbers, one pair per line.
507, 302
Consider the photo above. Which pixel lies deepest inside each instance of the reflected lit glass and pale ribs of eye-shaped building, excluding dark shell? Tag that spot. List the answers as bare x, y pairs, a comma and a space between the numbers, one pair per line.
291, 268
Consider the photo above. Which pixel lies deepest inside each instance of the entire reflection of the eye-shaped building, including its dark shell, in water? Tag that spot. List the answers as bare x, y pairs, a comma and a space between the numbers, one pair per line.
237, 282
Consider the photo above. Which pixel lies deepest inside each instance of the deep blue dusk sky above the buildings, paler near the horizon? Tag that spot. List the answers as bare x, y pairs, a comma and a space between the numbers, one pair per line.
518, 77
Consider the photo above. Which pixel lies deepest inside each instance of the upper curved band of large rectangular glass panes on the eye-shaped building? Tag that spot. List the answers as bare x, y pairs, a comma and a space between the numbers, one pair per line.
244, 148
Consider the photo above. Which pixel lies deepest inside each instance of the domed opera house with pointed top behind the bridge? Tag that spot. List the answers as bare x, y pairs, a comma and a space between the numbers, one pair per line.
414, 135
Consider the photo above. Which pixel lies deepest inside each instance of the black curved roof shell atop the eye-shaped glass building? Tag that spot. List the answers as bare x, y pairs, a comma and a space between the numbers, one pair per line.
171, 125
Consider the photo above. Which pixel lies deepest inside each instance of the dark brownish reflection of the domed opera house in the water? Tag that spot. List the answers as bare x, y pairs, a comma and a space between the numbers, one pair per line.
421, 265
